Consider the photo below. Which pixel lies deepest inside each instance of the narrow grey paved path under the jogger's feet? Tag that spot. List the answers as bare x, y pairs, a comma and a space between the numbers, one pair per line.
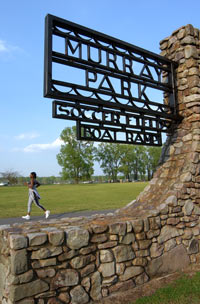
13, 220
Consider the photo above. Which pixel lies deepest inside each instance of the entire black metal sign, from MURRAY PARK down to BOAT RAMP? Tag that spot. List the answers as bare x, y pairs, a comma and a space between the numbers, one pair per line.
108, 86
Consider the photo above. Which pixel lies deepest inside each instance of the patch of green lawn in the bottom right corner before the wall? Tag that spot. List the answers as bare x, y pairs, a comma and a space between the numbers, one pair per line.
185, 290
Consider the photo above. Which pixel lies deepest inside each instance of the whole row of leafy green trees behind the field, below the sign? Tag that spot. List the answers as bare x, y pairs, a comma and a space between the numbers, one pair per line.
132, 162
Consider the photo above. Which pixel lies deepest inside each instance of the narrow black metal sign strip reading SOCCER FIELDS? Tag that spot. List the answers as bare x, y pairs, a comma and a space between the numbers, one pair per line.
105, 116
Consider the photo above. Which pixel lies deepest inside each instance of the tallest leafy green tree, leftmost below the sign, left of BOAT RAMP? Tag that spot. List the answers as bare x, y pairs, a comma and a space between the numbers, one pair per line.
75, 157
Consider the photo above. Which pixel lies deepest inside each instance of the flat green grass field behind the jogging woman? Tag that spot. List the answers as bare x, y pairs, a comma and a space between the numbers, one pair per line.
69, 198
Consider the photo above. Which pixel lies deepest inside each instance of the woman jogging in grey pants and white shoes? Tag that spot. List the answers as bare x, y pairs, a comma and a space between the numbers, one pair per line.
34, 196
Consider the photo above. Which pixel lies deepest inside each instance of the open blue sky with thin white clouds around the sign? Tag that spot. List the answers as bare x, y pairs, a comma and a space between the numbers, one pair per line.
29, 137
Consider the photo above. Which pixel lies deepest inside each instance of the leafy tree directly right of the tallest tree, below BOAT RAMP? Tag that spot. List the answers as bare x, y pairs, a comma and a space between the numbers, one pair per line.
109, 157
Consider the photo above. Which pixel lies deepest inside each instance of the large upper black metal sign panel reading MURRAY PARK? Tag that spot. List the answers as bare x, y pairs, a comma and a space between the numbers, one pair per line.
82, 64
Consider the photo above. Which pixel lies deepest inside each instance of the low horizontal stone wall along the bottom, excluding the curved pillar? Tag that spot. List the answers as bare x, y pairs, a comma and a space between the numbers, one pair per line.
84, 260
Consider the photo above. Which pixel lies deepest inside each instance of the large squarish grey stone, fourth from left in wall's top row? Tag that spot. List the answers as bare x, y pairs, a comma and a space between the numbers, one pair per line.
77, 238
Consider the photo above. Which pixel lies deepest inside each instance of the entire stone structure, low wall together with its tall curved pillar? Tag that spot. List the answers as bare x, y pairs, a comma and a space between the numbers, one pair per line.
84, 260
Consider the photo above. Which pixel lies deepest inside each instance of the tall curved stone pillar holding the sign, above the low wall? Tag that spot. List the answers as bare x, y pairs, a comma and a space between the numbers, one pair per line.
177, 179
